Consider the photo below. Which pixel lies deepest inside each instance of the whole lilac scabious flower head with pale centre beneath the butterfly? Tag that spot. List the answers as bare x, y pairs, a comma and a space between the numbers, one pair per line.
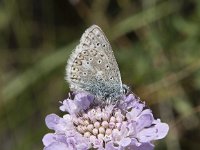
127, 125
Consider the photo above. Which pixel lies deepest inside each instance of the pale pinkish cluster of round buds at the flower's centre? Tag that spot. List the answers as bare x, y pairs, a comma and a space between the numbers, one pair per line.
100, 123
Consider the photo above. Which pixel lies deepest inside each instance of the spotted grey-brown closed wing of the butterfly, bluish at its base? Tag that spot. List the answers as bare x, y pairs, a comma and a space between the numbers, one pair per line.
92, 66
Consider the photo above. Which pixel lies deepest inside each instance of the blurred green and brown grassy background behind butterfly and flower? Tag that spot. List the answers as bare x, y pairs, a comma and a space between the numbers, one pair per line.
156, 44
